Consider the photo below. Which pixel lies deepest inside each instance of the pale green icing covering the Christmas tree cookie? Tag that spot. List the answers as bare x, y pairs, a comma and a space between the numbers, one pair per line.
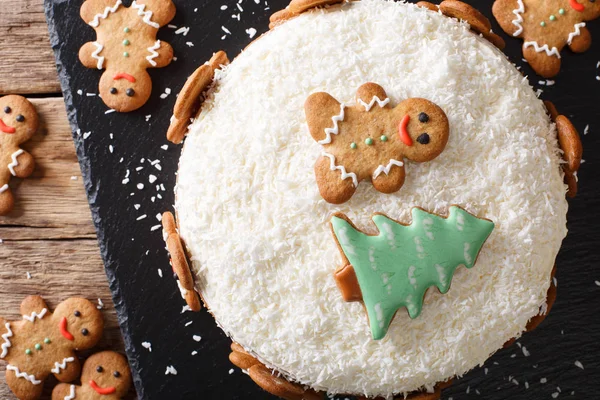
396, 267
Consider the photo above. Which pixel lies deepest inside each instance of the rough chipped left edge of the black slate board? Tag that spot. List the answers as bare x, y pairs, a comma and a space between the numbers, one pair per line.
91, 195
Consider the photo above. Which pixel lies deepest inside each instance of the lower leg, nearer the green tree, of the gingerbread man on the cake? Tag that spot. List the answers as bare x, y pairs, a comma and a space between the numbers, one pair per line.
332, 187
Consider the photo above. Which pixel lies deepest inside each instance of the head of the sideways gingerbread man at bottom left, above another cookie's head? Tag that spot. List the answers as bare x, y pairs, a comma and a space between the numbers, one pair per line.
80, 322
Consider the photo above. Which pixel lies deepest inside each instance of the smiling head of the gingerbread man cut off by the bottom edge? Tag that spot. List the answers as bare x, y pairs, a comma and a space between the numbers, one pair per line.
106, 373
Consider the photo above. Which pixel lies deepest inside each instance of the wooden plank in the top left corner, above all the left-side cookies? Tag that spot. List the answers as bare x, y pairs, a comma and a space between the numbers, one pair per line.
27, 64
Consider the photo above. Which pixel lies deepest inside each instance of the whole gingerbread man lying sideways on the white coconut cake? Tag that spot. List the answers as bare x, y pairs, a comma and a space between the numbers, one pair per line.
370, 140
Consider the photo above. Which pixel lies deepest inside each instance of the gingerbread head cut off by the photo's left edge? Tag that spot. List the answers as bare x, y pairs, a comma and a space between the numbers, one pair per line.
18, 120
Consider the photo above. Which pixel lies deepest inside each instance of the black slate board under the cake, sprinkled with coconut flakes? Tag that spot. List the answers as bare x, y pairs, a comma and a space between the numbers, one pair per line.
150, 307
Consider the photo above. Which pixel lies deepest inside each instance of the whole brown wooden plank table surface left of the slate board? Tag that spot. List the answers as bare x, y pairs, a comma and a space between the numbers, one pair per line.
48, 243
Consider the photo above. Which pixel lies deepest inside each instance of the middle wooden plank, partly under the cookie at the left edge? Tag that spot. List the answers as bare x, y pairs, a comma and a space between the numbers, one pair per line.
53, 198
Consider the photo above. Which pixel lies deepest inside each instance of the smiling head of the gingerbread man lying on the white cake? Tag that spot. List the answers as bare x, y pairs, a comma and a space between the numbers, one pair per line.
422, 127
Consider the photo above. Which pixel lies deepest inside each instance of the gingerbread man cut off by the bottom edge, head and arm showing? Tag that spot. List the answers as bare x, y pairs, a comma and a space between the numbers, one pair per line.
105, 376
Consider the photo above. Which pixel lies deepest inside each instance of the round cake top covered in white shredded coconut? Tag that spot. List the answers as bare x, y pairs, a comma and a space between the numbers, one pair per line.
251, 215
